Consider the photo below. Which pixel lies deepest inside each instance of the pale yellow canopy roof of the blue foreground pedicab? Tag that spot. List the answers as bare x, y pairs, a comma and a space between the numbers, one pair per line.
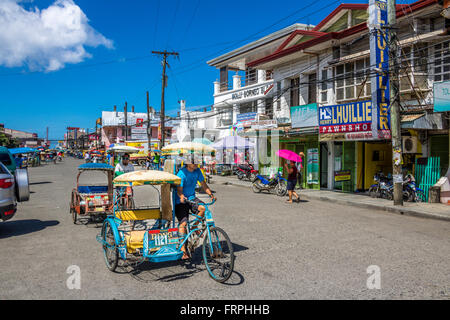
138, 178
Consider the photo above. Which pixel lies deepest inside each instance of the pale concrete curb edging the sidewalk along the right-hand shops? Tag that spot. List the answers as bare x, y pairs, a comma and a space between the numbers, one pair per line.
400, 210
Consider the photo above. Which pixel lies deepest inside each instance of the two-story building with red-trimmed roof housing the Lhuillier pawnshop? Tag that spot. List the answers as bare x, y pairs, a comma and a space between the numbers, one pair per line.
326, 71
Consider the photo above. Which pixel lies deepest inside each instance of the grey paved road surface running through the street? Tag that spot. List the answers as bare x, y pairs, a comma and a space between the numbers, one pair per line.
310, 250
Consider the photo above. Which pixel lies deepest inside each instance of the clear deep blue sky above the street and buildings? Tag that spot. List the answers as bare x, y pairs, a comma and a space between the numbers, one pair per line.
121, 67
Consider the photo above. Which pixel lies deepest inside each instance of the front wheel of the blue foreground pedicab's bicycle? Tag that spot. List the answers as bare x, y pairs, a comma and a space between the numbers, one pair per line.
218, 255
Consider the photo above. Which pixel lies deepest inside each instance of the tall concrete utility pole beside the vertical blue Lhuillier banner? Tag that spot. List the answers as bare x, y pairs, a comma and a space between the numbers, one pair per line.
395, 105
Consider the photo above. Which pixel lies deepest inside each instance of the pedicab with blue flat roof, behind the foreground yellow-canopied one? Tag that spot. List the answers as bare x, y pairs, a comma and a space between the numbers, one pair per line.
93, 201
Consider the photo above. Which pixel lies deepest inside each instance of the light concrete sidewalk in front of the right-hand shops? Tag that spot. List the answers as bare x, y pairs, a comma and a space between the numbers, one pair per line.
424, 210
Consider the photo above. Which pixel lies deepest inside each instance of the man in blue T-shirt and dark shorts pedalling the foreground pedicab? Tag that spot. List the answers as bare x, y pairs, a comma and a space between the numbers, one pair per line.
190, 174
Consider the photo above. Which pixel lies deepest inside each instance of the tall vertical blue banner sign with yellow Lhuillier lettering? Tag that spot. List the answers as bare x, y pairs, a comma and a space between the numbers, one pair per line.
379, 62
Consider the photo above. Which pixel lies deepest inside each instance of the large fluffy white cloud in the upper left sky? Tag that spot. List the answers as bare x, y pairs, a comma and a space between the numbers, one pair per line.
45, 39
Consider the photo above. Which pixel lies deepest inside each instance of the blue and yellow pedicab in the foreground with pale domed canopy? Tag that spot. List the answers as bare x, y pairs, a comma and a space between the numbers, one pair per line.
157, 240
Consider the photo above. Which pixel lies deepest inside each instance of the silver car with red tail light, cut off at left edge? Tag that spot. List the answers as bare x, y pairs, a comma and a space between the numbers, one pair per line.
8, 204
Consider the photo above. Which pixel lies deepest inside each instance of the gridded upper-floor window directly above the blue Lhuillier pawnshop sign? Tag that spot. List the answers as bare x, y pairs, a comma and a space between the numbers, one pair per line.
352, 80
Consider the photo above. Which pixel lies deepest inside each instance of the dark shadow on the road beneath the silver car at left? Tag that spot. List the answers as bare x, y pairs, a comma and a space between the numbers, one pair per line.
21, 227
